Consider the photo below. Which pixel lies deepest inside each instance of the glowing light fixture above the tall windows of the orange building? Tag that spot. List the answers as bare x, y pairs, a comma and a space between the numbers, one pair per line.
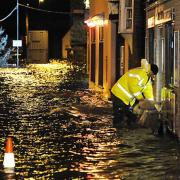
97, 20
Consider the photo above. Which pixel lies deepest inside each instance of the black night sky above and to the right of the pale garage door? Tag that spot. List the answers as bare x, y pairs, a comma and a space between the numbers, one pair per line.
56, 24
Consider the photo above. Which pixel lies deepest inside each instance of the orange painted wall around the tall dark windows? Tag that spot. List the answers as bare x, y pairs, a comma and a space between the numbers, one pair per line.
97, 7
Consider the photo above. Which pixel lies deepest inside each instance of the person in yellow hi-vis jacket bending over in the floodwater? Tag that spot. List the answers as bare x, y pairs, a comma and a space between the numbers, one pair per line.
134, 86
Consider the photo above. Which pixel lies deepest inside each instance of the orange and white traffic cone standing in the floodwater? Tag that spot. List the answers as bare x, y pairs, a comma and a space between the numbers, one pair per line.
9, 161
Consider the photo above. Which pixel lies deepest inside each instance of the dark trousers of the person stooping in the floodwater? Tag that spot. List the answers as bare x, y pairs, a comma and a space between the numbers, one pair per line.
122, 112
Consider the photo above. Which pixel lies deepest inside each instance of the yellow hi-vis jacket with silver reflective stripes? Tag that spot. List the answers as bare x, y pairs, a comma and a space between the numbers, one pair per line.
134, 84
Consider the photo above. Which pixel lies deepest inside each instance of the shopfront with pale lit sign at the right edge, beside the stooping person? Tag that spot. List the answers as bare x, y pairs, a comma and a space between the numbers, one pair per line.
162, 48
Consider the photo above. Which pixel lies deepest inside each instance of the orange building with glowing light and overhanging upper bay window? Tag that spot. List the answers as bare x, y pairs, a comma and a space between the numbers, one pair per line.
115, 41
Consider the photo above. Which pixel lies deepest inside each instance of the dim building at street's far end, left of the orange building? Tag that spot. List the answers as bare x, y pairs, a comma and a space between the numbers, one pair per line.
74, 41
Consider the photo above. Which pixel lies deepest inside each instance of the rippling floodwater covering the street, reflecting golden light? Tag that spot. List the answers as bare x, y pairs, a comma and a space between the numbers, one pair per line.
62, 130
